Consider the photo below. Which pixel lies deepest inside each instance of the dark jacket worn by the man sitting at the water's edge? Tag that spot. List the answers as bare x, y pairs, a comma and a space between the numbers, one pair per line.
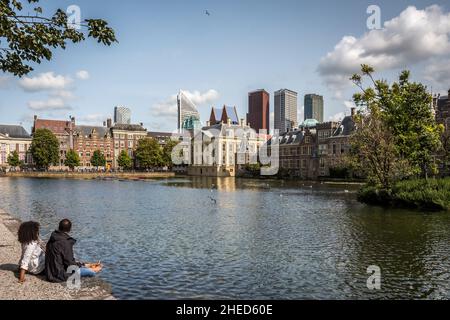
59, 256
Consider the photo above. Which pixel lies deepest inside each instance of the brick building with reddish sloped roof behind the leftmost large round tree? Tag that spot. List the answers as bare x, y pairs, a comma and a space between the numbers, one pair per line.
64, 132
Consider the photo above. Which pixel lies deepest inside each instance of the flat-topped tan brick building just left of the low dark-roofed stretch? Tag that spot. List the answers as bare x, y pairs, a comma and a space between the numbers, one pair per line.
126, 137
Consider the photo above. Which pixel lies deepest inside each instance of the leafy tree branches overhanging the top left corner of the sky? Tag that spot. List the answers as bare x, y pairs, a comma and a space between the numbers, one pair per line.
30, 38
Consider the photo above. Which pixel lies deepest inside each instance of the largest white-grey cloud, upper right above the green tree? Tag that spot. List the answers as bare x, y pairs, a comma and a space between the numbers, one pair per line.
414, 36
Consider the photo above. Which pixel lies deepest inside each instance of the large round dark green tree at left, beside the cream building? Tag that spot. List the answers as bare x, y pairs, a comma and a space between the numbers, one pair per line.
44, 148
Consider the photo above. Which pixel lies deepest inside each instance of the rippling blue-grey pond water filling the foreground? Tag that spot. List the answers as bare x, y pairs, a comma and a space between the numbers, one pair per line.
200, 238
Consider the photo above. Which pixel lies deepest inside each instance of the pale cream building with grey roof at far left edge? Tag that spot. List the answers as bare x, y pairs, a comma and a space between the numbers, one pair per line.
14, 138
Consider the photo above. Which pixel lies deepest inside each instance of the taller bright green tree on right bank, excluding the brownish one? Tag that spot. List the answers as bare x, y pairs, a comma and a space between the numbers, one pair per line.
404, 109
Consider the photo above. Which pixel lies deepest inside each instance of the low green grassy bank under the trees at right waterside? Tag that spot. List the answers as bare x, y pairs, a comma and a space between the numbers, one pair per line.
430, 195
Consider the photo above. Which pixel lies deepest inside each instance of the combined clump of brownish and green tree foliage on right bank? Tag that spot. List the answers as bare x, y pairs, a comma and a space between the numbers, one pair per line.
397, 134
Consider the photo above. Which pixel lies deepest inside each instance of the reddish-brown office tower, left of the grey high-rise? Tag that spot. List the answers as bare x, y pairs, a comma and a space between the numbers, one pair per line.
258, 115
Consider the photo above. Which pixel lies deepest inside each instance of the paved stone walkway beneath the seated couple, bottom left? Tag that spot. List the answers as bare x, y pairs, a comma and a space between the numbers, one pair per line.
35, 287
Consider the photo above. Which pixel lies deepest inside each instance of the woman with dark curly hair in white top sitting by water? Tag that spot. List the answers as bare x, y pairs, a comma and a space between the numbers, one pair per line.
33, 255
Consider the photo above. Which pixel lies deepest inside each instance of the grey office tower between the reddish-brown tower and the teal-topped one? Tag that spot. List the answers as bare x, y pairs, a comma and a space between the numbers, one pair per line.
285, 110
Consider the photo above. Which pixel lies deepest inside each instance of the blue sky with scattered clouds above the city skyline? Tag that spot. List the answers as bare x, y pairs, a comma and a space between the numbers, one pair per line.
243, 45
